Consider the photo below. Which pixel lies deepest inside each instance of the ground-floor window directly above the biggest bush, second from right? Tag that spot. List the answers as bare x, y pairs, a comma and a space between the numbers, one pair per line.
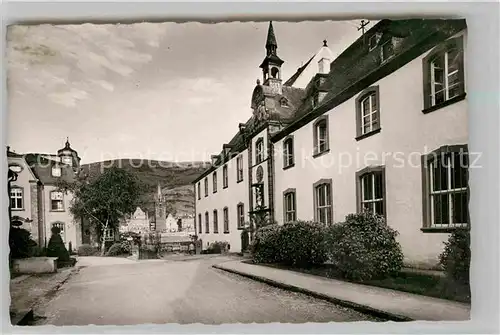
372, 192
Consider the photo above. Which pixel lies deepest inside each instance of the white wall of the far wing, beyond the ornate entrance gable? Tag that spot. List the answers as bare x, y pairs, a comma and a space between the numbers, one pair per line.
228, 197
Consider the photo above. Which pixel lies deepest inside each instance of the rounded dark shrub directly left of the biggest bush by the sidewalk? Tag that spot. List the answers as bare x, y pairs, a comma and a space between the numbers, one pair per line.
301, 244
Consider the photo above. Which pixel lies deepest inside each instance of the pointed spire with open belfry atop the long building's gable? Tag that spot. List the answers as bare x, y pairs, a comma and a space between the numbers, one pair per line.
271, 66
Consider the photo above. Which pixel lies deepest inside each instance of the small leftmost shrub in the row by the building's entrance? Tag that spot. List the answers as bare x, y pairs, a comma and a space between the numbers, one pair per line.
265, 245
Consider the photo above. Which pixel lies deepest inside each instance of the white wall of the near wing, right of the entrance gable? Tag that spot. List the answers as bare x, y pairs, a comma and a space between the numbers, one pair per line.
406, 131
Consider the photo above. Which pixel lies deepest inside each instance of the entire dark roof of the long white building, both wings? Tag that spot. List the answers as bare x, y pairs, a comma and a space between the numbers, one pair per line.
352, 71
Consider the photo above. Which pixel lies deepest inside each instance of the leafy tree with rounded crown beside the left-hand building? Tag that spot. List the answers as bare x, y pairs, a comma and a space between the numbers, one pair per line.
104, 199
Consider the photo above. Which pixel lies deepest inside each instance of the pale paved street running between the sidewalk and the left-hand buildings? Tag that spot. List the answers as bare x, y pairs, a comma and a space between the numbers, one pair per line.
121, 292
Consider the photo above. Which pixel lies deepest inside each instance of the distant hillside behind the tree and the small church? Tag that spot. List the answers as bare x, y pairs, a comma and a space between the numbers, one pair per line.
174, 178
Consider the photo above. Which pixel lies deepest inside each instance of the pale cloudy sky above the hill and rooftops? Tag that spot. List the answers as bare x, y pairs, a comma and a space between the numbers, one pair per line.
163, 91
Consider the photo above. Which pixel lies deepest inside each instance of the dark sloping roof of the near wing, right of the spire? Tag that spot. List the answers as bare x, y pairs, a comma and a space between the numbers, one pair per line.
357, 67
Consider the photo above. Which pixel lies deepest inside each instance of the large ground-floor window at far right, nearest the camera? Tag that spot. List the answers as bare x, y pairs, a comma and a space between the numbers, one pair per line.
448, 190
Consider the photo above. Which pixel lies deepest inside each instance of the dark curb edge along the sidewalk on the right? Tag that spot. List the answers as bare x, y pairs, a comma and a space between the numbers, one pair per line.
360, 308
